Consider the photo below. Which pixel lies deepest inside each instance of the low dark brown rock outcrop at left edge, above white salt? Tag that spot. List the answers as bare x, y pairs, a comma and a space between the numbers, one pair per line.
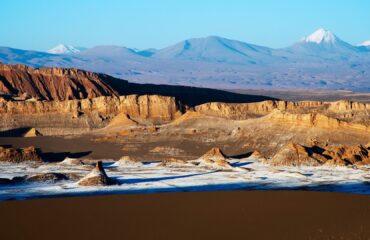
17, 155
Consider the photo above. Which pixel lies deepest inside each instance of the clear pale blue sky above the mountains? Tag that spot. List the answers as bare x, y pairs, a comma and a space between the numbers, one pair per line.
41, 24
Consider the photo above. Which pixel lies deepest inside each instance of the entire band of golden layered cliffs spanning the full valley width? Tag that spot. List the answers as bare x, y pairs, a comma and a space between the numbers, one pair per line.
95, 113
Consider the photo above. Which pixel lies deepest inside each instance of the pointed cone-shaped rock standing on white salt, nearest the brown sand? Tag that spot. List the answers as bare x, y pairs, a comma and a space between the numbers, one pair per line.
97, 177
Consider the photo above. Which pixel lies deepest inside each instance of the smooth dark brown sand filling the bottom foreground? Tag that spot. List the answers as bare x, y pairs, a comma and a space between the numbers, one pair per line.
208, 215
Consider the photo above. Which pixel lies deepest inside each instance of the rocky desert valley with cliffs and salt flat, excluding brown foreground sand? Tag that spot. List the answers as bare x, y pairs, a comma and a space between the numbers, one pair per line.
95, 134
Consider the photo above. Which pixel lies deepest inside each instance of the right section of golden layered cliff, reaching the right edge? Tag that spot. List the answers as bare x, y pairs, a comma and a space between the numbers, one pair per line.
341, 114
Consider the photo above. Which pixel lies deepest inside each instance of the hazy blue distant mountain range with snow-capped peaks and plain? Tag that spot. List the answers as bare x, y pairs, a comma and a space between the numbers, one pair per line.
318, 61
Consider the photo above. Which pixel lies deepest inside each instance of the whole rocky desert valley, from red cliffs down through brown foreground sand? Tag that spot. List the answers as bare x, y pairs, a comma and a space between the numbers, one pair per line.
68, 136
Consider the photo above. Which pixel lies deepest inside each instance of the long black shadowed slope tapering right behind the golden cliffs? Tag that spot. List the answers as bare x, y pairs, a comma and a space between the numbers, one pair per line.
190, 96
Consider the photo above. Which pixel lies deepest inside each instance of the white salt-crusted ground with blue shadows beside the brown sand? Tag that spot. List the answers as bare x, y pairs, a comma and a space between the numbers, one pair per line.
247, 174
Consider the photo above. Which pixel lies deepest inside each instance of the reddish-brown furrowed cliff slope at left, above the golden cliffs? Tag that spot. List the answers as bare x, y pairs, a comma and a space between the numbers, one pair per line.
52, 83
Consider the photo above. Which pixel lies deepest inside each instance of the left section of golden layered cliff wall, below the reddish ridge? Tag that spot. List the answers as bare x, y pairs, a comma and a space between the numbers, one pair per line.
77, 116
